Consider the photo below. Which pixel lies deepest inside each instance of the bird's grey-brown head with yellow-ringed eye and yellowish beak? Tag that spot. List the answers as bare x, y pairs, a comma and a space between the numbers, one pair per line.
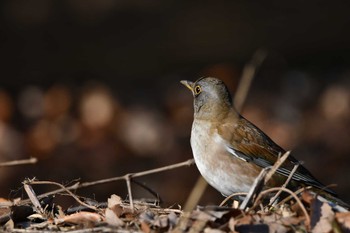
212, 98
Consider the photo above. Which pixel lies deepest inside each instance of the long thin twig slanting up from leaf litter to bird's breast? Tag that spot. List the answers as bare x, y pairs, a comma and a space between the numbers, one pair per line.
113, 179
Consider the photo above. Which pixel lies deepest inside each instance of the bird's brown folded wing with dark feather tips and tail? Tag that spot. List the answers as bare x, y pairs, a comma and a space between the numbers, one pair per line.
251, 144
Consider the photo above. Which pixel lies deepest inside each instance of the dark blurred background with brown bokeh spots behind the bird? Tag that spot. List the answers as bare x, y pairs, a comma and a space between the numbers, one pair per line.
91, 88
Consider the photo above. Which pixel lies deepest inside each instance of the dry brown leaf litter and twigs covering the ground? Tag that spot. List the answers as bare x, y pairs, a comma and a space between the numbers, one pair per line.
302, 211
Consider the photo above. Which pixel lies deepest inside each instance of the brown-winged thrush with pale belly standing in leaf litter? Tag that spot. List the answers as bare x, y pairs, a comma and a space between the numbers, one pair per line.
230, 151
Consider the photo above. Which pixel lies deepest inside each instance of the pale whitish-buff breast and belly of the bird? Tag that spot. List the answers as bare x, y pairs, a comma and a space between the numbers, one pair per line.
220, 169
